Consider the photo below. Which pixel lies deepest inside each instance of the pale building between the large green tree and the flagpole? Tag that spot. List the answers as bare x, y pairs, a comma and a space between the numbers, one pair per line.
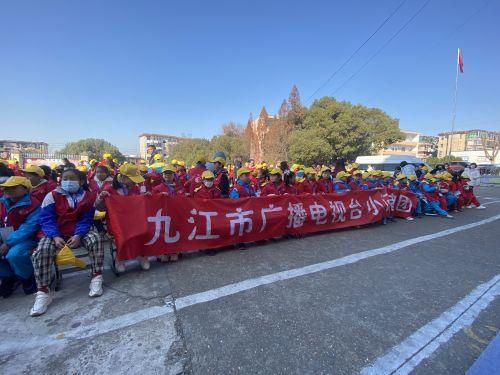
414, 144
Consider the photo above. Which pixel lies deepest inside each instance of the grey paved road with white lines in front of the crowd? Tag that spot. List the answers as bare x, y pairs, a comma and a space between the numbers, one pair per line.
417, 297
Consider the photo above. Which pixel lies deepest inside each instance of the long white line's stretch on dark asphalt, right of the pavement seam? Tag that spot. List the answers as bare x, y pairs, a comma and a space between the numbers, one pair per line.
244, 285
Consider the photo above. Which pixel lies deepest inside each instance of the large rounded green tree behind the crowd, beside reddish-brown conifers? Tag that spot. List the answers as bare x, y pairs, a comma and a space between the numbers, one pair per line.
348, 130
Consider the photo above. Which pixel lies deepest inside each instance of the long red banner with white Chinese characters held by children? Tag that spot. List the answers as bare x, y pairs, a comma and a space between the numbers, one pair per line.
155, 225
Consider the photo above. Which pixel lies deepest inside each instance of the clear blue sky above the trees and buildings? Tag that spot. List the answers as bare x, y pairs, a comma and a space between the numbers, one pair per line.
115, 69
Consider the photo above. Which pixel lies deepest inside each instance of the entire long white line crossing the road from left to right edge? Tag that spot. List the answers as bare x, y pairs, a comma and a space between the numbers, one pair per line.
98, 328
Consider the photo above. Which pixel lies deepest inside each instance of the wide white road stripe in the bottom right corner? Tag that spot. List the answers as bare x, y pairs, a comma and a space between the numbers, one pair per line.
404, 357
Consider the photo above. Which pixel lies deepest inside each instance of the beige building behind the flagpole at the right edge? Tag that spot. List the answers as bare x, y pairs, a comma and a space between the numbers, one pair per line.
466, 140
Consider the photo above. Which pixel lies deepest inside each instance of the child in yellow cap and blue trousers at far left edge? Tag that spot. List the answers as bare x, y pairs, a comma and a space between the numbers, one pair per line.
19, 221
